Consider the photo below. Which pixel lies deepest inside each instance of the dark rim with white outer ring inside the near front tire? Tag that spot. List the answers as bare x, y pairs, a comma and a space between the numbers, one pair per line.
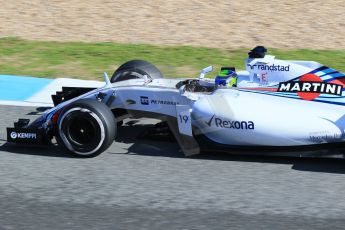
81, 131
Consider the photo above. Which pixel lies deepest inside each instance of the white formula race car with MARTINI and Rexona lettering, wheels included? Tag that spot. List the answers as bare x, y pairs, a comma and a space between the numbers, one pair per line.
277, 107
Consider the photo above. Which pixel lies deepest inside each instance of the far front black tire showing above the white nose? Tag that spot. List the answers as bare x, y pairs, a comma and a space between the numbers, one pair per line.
136, 69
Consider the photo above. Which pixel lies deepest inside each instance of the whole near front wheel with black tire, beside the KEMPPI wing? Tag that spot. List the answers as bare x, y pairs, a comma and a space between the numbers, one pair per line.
86, 128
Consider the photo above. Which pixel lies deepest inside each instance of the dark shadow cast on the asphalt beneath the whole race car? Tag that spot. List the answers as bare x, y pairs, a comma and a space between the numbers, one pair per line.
143, 140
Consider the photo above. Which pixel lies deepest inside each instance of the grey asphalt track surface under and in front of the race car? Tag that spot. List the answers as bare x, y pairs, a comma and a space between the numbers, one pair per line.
141, 184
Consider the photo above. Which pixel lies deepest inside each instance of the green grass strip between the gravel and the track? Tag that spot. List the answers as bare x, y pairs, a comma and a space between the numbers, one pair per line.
89, 60
